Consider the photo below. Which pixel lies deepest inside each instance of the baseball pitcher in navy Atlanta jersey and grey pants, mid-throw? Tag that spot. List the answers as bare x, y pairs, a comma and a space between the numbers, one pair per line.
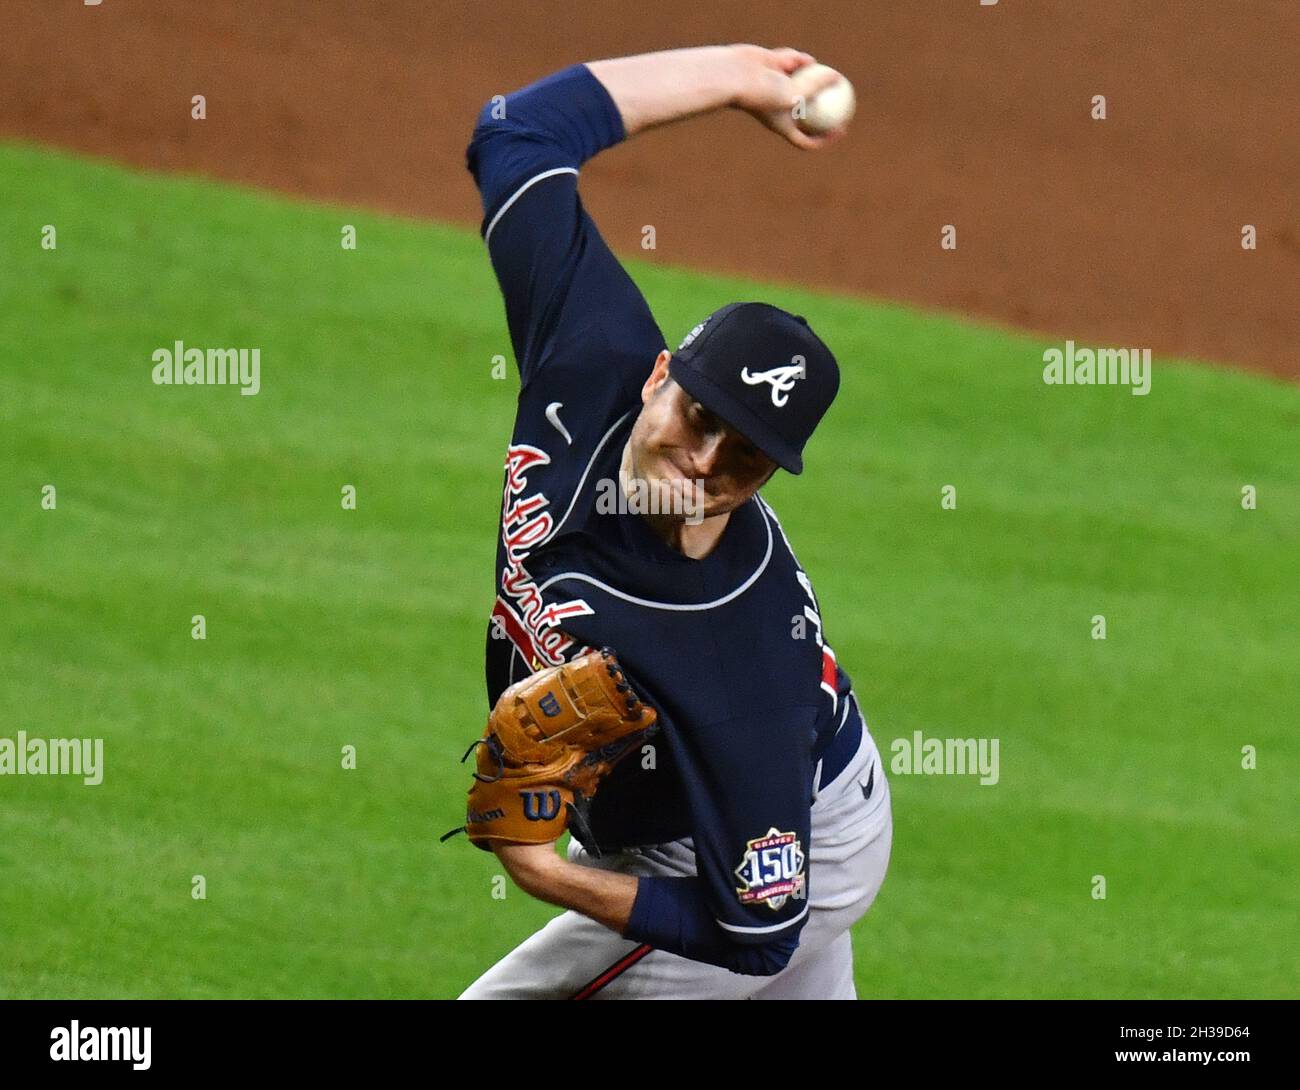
662, 682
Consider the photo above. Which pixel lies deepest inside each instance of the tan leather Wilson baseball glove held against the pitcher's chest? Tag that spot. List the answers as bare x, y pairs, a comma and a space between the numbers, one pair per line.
549, 742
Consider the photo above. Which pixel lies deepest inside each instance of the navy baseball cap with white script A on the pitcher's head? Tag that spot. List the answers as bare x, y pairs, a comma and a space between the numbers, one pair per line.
762, 371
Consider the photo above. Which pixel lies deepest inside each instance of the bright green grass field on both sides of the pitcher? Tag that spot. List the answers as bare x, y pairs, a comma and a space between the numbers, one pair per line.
330, 628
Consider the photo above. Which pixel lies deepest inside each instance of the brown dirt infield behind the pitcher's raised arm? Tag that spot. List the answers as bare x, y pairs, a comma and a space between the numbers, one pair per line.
1119, 232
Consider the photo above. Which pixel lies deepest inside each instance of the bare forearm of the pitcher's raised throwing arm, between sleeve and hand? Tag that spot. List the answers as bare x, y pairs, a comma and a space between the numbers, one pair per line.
657, 89
